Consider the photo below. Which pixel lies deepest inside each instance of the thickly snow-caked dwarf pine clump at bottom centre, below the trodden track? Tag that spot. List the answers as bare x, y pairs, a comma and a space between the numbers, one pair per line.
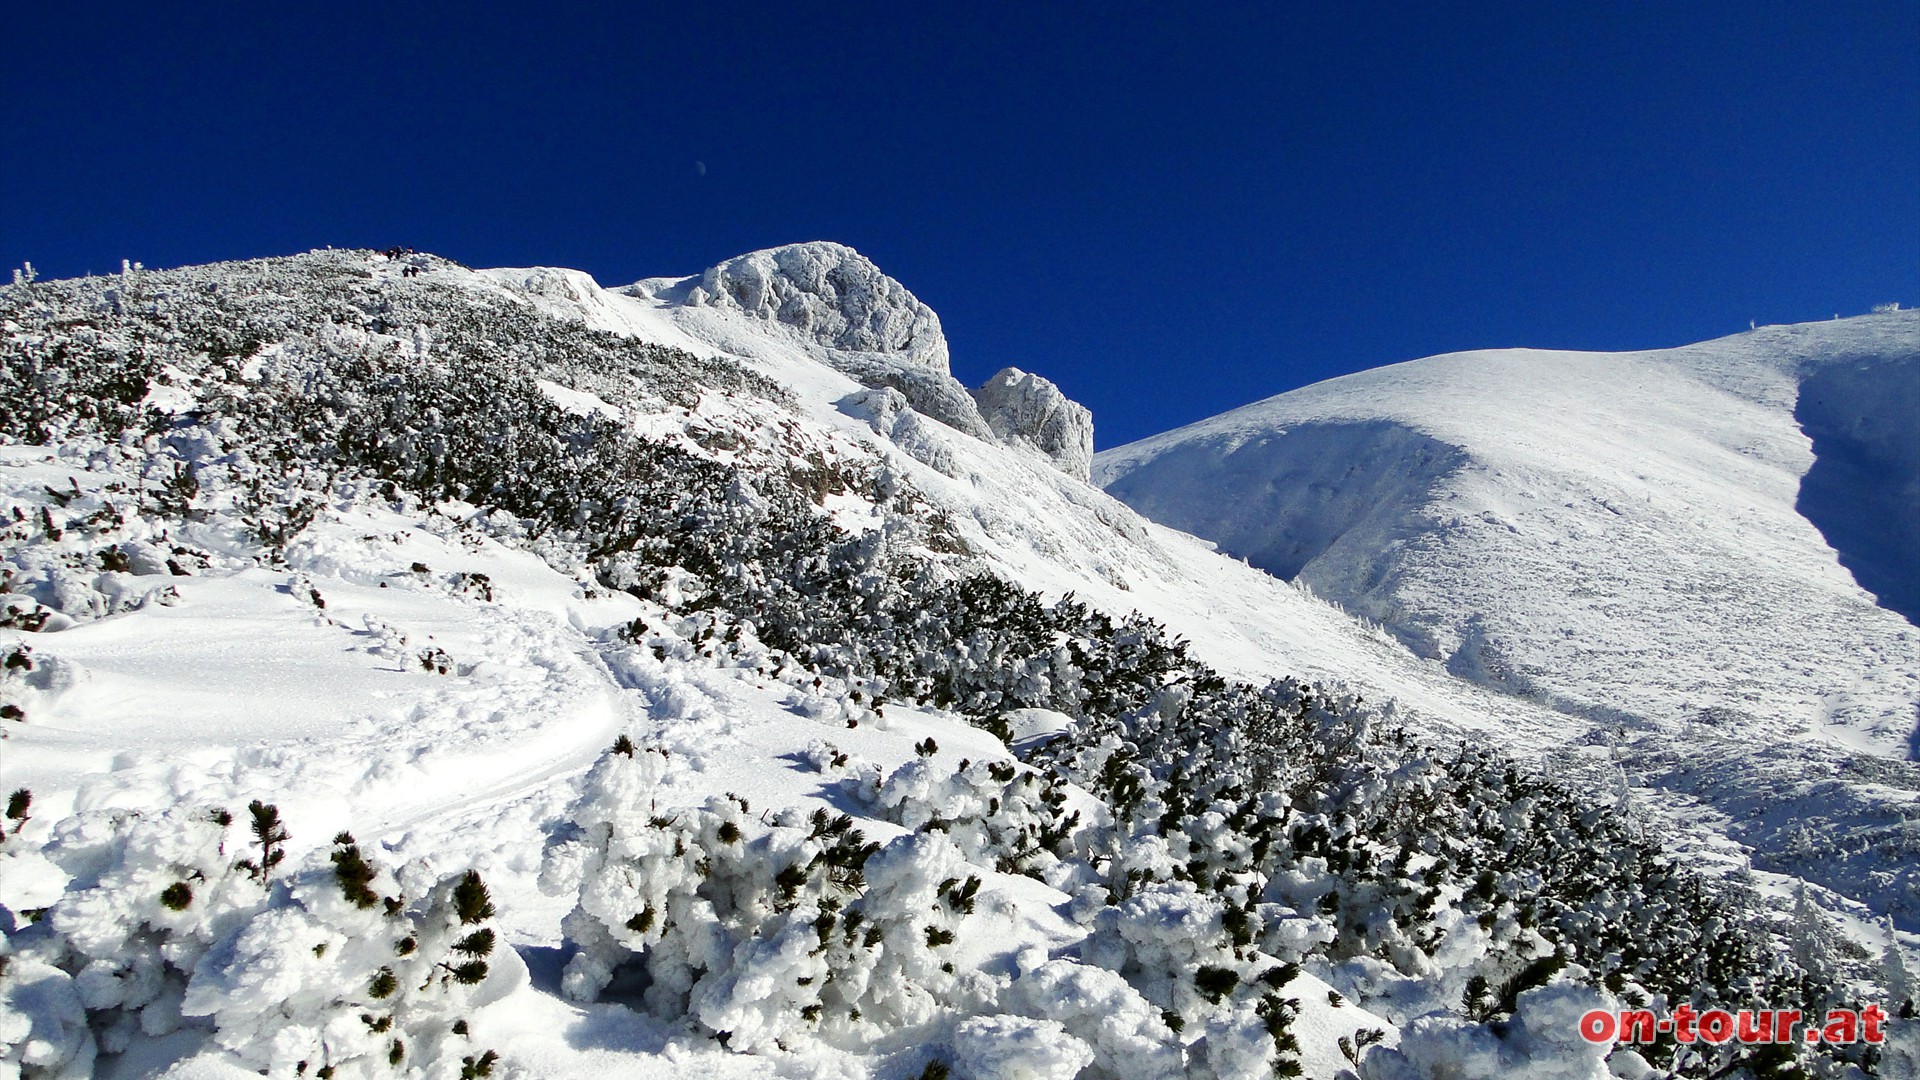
765, 933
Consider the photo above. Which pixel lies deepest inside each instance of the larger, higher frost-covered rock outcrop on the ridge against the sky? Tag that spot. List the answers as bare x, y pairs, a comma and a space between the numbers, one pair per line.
830, 295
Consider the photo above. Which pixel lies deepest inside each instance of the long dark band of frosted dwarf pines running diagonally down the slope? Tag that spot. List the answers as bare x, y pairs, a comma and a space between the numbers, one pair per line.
1424, 879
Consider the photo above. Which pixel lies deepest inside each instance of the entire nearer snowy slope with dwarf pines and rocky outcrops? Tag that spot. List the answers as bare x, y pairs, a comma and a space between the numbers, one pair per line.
425, 672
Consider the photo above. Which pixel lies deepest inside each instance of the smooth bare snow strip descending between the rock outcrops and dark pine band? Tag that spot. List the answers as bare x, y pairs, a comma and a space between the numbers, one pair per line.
1063, 537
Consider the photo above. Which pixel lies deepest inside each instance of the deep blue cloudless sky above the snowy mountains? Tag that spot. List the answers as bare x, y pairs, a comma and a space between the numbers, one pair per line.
1168, 212
